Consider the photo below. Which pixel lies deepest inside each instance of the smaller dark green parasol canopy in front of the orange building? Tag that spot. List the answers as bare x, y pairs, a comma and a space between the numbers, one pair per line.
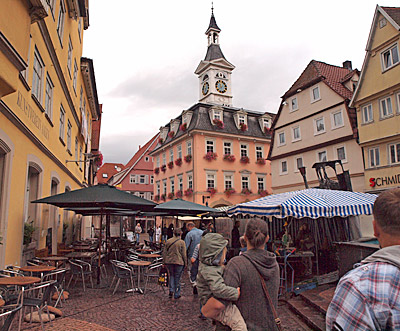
179, 207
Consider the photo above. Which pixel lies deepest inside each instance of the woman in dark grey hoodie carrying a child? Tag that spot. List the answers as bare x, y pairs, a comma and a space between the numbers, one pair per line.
244, 271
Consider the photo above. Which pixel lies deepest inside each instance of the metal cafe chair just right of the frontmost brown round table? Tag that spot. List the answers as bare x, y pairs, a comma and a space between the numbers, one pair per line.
38, 297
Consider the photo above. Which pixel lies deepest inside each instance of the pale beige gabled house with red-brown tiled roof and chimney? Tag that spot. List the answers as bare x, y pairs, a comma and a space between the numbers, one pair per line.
315, 124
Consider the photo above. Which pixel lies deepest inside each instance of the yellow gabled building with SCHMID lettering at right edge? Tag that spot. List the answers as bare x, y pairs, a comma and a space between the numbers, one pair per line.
377, 99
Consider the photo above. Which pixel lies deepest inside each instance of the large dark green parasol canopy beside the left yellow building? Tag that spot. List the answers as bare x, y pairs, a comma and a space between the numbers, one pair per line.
102, 196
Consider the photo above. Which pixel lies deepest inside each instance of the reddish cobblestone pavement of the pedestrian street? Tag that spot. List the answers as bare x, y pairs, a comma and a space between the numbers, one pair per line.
99, 310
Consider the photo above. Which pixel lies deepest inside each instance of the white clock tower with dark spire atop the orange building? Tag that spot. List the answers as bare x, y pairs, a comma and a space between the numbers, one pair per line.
214, 72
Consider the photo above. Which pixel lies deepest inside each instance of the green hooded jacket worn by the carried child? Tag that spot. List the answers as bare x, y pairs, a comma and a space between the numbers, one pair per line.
209, 278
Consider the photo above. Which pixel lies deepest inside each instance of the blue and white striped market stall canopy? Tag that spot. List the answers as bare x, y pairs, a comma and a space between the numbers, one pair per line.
312, 203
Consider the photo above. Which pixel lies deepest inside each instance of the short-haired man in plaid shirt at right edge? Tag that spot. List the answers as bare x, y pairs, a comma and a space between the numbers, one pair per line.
368, 297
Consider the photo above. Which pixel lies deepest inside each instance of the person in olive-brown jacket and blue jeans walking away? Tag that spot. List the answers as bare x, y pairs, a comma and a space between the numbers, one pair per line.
174, 256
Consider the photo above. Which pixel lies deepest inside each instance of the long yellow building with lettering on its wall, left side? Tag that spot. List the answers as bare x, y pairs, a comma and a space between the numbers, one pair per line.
48, 100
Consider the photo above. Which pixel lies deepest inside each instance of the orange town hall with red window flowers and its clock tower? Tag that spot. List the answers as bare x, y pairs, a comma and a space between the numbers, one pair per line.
214, 153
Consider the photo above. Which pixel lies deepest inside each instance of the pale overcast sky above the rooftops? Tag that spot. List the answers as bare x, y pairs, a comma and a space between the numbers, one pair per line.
145, 54
